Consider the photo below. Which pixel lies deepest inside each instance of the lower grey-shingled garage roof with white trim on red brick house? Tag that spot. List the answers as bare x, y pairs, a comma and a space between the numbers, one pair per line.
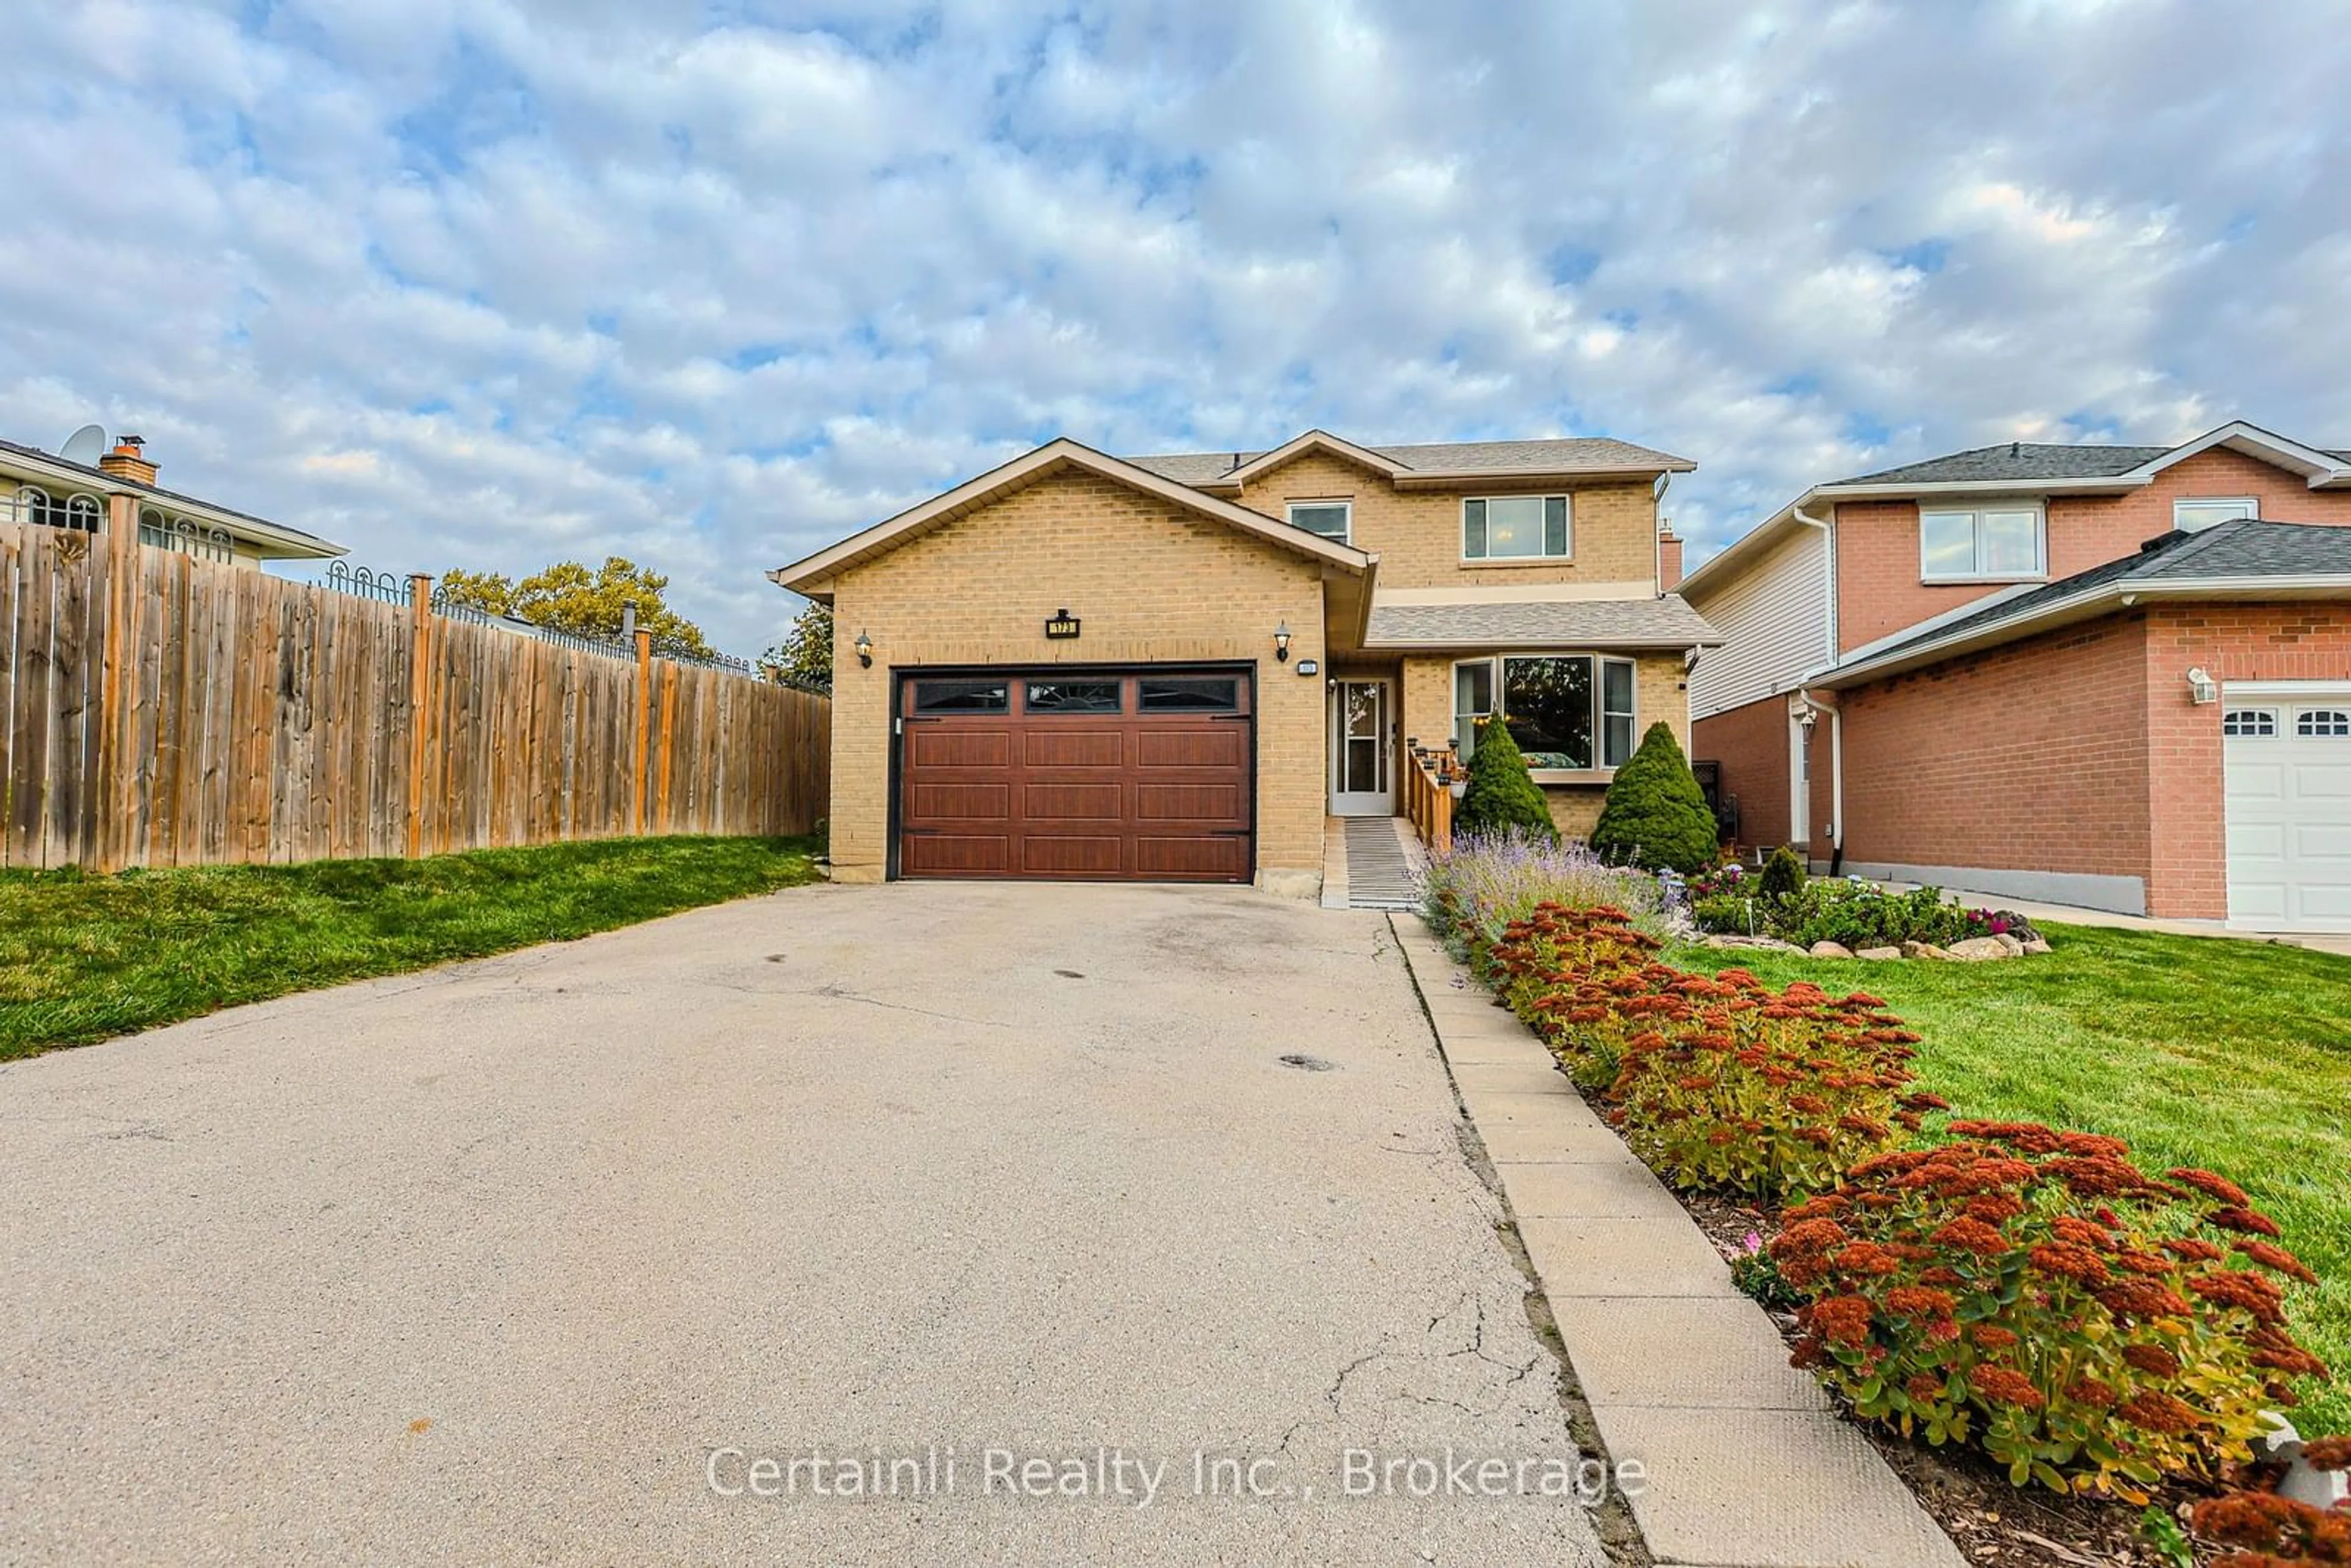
2235, 561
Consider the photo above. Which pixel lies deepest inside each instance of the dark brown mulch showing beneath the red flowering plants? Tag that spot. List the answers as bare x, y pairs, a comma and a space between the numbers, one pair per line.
1964, 1492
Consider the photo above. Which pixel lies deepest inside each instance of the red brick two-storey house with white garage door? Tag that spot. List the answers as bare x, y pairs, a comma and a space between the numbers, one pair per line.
2098, 676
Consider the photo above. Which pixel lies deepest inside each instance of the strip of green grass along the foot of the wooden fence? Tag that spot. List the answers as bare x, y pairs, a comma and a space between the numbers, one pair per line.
88, 958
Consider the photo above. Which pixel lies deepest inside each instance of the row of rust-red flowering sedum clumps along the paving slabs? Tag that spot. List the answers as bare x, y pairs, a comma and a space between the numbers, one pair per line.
2009, 1287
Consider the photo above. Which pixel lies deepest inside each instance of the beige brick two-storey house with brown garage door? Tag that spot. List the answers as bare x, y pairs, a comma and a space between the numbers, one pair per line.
1184, 666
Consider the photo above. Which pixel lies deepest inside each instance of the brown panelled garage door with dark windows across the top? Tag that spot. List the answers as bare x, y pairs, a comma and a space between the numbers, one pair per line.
1078, 775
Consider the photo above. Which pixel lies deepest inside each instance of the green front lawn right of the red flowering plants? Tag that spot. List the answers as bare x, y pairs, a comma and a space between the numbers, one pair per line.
2199, 1052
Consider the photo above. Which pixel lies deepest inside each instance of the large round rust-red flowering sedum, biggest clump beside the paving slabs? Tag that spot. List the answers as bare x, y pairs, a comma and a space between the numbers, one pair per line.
2042, 1299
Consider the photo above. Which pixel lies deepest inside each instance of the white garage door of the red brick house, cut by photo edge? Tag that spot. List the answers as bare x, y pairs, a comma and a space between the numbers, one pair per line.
2289, 777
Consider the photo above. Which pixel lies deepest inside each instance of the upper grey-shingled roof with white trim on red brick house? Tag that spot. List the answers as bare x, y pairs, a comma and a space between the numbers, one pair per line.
2030, 469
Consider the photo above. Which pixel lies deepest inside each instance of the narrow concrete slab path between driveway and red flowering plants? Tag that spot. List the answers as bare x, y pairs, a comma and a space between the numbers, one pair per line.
1748, 1463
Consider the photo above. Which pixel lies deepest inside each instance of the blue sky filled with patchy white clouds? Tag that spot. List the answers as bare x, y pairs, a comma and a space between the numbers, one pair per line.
495, 283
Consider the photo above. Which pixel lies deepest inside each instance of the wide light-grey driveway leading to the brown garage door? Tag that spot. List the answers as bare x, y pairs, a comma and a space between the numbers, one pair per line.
488, 1264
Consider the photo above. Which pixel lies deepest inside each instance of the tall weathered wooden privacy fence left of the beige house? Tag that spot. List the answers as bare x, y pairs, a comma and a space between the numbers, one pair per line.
173, 711
